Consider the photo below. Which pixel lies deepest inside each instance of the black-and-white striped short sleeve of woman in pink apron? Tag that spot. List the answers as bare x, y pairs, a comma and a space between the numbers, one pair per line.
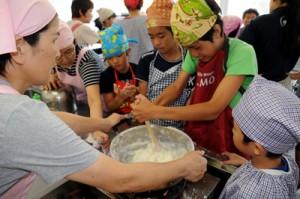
89, 70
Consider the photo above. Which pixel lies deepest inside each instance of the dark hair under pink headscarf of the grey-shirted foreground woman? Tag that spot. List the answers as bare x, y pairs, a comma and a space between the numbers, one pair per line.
32, 40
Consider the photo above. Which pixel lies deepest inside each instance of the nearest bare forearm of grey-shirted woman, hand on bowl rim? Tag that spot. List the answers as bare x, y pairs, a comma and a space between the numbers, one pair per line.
114, 176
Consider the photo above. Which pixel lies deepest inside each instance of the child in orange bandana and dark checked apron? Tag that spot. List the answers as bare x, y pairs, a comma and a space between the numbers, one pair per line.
159, 68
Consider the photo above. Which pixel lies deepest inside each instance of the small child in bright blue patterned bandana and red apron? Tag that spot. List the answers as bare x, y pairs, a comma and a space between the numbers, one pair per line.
117, 83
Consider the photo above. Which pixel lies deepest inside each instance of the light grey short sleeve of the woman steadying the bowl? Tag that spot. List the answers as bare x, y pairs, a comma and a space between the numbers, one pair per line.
44, 144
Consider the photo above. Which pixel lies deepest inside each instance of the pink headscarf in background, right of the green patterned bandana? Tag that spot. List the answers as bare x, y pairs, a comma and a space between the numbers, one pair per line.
231, 23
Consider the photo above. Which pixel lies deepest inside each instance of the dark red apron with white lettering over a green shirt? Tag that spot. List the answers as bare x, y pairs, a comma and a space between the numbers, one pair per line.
214, 135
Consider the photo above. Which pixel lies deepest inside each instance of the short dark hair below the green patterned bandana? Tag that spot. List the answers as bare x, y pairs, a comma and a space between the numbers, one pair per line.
217, 10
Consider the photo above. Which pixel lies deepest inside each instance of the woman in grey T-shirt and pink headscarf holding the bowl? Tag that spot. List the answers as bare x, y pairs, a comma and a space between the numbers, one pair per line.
35, 140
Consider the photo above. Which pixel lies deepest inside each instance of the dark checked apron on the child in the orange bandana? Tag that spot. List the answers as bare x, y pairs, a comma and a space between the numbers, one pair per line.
158, 81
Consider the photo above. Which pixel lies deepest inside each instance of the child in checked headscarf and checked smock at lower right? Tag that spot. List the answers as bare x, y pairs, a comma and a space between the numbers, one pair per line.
267, 124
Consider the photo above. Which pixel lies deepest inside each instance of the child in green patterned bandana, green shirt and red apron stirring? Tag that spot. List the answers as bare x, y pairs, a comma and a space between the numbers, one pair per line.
223, 66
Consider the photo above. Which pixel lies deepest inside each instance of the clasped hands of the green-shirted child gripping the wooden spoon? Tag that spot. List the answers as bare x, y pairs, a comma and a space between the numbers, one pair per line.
142, 108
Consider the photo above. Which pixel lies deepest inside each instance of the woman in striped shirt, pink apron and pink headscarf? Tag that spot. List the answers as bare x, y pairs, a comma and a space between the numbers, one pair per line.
80, 68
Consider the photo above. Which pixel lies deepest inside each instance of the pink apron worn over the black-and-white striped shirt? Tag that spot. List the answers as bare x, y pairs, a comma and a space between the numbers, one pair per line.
75, 81
